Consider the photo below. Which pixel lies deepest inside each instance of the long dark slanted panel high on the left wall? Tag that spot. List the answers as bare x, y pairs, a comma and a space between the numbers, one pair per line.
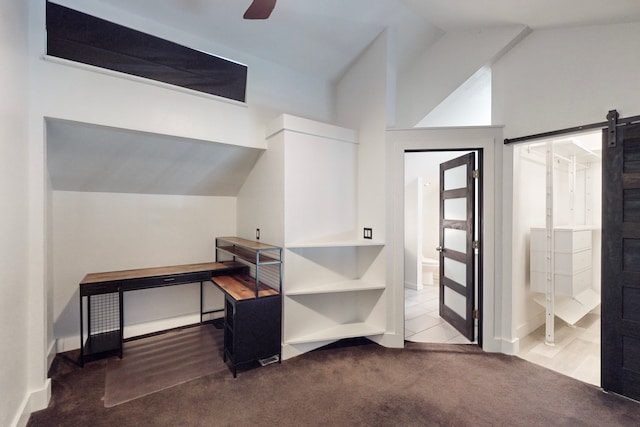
83, 38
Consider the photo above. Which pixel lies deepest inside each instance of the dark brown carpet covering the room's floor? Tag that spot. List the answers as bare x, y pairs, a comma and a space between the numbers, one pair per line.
357, 385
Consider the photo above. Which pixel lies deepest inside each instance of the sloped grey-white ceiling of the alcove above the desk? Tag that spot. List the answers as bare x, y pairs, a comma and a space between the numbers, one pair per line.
85, 157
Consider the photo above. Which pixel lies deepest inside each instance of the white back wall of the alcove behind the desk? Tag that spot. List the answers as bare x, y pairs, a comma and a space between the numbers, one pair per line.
96, 232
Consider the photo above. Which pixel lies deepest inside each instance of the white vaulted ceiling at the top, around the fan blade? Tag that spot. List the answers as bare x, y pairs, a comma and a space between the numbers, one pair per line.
323, 37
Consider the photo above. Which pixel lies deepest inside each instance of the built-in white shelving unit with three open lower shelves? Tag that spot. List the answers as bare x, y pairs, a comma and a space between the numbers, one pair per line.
306, 185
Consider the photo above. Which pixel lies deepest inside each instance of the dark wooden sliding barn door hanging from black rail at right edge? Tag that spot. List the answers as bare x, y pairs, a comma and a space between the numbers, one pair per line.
621, 262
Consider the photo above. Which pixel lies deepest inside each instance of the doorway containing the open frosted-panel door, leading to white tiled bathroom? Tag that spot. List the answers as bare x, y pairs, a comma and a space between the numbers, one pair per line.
441, 256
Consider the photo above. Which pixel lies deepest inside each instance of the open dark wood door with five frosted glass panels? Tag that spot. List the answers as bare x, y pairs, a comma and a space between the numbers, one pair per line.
457, 224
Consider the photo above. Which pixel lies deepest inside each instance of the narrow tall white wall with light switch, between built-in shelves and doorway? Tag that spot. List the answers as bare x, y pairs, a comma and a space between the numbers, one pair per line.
365, 101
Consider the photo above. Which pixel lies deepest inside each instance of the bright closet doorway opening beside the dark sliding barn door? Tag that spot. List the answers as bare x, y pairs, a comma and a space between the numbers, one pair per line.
557, 231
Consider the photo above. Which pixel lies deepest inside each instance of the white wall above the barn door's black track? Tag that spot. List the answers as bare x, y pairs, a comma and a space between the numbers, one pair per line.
561, 78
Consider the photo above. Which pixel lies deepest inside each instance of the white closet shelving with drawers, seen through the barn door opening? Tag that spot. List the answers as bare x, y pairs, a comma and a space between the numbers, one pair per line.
561, 256
